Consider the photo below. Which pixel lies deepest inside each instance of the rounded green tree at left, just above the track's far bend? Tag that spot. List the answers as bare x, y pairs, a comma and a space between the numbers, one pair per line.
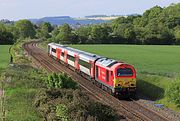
25, 29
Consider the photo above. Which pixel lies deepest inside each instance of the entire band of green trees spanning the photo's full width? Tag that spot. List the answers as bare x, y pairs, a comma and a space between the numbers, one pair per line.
156, 26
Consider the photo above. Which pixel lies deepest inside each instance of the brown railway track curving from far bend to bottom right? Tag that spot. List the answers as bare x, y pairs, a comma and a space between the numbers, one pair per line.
130, 109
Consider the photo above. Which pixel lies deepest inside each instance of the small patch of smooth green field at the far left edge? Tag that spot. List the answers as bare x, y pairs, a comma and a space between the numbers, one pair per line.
4, 56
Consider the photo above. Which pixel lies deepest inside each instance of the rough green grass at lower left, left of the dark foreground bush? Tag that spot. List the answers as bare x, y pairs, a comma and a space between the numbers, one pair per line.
25, 82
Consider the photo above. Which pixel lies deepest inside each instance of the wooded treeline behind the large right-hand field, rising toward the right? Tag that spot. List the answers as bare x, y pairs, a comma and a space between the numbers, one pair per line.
156, 26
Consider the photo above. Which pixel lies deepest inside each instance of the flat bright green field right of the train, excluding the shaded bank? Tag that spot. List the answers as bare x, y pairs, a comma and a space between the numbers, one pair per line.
158, 60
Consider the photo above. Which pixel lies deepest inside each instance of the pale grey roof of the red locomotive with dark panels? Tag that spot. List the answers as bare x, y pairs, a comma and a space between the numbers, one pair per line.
106, 62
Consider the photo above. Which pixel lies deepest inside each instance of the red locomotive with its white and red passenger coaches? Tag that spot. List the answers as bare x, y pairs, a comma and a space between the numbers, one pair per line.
116, 77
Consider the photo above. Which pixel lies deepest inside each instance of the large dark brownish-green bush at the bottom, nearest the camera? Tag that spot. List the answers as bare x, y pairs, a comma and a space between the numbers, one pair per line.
72, 105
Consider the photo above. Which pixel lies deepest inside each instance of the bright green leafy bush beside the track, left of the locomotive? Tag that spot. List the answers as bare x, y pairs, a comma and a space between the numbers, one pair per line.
61, 80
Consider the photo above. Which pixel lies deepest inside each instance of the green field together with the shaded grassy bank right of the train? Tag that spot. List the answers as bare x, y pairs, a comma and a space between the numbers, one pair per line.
157, 66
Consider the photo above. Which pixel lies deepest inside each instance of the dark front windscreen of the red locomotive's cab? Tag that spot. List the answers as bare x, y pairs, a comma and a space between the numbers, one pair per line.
124, 72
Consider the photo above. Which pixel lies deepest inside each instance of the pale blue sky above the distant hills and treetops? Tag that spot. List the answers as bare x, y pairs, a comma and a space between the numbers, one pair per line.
25, 9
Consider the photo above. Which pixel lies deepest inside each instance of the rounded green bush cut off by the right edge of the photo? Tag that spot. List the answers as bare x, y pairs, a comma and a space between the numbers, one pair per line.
173, 92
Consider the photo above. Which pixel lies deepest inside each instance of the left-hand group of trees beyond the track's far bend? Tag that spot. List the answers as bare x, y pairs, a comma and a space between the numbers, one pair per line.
12, 32
